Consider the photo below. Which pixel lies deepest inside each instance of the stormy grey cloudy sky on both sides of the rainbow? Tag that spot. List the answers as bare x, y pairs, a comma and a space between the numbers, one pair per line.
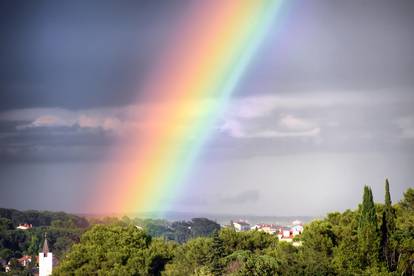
325, 106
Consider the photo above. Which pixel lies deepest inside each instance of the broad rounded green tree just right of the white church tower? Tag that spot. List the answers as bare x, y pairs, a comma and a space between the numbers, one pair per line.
115, 250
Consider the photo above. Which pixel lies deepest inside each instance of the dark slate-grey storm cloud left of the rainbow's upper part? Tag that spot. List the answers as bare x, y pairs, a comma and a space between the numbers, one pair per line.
79, 54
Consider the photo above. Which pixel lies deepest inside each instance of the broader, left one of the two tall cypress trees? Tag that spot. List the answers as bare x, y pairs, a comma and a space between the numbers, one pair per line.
368, 230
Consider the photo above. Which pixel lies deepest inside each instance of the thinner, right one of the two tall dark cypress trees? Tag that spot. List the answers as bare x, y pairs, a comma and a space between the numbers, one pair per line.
387, 229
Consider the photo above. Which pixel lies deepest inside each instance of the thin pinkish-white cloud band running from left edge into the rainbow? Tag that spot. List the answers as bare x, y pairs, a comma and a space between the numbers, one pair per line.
122, 120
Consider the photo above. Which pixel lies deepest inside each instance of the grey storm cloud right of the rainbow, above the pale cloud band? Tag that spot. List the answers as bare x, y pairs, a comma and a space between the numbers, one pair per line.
326, 45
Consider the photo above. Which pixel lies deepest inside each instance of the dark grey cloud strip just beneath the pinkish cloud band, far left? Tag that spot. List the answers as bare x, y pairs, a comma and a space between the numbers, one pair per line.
51, 144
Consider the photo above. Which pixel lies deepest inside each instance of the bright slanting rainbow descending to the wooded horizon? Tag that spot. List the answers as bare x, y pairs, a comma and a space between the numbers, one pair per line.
186, 93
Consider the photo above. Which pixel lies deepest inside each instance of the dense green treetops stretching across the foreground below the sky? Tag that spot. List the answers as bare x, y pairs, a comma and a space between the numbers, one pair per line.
374, 239
